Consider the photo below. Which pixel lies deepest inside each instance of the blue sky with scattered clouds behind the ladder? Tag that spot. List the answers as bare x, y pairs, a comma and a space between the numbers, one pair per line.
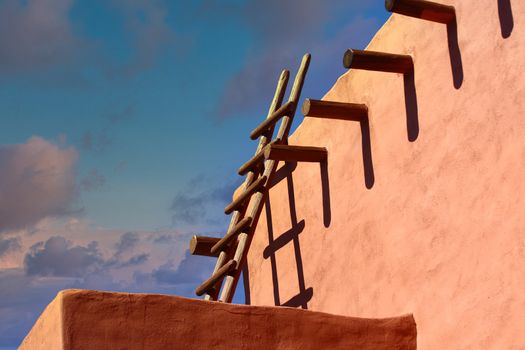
123, 123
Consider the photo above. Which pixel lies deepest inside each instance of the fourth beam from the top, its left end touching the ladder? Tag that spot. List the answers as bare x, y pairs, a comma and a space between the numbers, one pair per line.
295, 153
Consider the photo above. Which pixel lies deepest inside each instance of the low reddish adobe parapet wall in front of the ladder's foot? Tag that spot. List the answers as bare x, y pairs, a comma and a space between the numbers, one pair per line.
80, 319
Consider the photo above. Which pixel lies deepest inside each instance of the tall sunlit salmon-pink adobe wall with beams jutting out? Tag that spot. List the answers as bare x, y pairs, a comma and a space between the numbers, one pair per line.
431, 220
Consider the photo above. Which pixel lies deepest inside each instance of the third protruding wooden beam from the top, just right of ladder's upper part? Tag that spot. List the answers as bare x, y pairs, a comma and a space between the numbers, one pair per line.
334, 110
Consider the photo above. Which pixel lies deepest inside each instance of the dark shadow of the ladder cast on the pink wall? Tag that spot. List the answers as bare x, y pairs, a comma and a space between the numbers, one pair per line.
304, 295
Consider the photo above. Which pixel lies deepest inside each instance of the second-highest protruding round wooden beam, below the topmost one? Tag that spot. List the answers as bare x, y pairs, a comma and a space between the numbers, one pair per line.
378, 61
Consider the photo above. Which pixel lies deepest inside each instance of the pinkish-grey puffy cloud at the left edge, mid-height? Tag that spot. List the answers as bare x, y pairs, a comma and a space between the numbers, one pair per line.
37, 180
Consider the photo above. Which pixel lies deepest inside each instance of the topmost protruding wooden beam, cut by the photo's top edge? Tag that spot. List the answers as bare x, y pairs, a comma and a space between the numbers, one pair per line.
421, 9
